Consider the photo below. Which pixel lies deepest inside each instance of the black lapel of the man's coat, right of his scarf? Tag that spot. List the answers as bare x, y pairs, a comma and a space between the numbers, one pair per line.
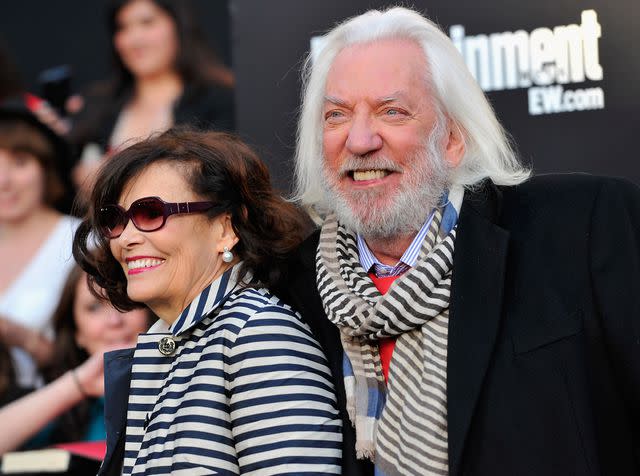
475, 308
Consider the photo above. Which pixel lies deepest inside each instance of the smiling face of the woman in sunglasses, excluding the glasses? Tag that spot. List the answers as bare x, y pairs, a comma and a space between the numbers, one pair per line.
169, 267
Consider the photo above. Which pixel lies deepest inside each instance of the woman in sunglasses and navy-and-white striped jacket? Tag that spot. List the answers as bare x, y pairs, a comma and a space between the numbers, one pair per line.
230, 381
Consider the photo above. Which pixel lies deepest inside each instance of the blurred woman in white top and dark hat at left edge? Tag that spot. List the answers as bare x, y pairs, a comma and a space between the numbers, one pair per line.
35, 238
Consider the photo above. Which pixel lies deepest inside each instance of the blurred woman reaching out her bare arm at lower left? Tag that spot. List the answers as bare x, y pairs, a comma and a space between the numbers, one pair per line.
71, 407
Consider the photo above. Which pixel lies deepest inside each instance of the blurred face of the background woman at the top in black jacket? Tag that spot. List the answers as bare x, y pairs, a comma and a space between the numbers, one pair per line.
146, 38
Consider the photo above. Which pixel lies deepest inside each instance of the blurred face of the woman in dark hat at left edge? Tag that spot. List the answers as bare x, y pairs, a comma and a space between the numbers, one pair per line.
22, 185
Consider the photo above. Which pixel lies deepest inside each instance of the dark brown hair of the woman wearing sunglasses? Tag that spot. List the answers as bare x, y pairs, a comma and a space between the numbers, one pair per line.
220, 168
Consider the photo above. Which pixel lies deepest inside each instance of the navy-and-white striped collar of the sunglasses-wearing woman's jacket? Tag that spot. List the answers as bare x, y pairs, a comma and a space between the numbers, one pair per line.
211, 297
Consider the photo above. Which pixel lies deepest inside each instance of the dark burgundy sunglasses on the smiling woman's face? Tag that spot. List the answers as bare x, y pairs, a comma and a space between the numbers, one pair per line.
147, 214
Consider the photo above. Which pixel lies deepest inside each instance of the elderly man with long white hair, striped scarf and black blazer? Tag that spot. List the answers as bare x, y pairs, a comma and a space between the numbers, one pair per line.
476, 321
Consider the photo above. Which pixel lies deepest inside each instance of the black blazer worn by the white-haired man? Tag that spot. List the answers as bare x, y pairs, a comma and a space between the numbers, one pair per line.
543, 370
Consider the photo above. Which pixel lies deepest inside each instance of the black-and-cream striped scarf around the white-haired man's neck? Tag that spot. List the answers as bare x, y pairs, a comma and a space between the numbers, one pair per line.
403, 429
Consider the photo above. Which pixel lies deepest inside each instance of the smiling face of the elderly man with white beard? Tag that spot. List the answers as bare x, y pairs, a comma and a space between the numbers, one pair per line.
385, 162
